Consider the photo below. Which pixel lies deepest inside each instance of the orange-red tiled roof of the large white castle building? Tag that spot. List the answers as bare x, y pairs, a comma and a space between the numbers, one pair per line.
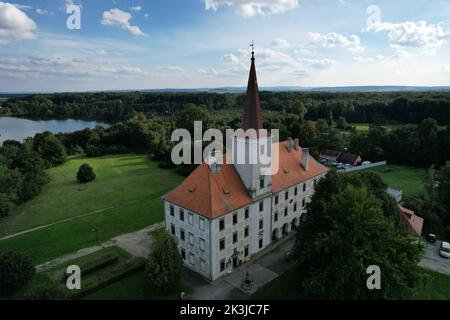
215, 194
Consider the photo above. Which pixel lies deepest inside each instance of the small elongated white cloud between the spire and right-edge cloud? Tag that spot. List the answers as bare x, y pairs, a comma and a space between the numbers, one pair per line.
331, 40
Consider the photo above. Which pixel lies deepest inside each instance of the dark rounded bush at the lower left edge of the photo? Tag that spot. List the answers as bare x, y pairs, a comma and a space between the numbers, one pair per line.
16, 270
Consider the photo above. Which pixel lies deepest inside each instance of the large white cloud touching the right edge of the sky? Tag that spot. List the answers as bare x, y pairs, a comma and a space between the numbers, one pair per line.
413, 35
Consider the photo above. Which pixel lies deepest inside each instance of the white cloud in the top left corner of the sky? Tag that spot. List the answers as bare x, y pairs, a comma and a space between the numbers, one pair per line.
15, 24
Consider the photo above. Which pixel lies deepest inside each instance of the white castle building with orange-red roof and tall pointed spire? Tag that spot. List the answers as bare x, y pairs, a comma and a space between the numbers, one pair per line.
222, 215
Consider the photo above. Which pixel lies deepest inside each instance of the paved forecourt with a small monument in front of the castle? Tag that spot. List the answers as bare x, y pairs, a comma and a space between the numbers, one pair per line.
264, 268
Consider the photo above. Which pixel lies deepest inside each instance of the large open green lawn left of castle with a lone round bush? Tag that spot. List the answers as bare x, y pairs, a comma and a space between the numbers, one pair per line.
125, 197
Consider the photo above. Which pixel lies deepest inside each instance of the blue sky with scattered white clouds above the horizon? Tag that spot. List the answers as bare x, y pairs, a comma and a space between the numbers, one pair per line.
153, 44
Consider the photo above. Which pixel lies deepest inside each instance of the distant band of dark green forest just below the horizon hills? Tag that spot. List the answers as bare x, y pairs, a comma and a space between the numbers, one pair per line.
395, 107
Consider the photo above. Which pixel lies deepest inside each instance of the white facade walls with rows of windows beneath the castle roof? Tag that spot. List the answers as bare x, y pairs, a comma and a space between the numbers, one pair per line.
212, 247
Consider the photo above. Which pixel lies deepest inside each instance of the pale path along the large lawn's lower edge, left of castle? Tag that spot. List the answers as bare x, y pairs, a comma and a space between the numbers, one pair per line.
136, 243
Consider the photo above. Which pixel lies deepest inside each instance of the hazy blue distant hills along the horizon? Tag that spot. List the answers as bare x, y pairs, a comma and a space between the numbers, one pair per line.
279, 89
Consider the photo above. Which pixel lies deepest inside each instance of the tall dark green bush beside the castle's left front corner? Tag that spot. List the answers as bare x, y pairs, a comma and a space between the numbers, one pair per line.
164, 266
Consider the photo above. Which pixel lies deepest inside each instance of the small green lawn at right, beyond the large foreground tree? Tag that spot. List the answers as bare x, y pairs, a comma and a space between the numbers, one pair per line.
411, 180
